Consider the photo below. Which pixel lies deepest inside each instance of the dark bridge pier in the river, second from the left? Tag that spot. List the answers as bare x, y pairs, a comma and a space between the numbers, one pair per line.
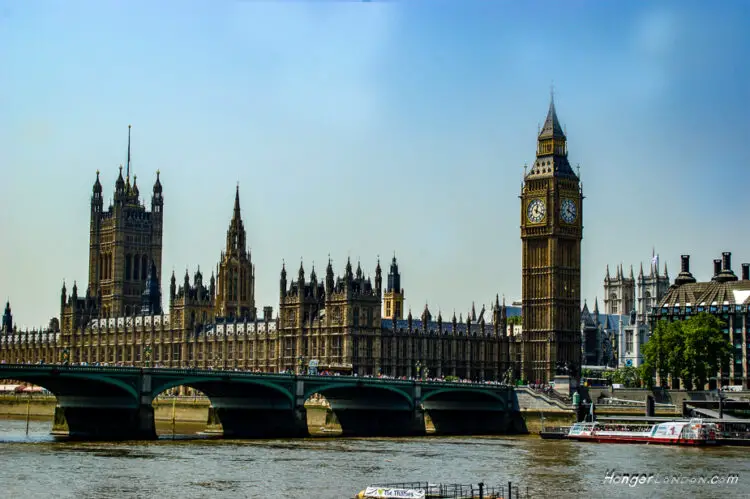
235, 422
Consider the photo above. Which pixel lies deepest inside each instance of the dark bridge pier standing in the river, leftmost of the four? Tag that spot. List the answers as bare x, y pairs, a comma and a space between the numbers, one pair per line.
105, 423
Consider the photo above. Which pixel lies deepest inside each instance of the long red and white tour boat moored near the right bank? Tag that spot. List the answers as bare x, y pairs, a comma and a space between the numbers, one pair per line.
693, 432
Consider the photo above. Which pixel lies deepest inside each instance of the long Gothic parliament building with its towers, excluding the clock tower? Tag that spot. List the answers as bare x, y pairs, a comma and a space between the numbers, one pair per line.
337, 322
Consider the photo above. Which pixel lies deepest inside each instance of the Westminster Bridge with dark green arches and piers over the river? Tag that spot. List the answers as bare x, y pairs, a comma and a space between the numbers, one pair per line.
115, 402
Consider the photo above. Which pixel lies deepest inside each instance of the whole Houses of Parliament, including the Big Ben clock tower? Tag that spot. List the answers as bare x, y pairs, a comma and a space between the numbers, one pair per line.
346, 323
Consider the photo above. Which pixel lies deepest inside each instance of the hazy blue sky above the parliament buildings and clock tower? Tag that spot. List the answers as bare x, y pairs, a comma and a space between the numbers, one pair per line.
357, 129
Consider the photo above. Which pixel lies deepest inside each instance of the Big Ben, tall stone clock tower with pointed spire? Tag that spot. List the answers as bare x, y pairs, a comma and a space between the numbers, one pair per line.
551, 233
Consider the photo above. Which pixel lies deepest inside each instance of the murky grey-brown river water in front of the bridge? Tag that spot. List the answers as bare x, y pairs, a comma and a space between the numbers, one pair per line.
188, 466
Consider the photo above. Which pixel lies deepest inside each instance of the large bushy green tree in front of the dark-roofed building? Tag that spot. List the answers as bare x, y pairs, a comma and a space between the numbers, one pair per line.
693, 350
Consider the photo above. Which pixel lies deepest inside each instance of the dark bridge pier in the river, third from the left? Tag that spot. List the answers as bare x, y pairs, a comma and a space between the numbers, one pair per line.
380, 423
